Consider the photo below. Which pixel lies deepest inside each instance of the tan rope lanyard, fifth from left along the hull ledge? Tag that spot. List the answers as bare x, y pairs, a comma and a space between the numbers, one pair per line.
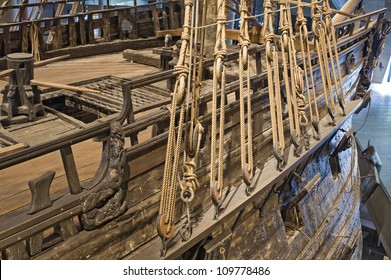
273, 77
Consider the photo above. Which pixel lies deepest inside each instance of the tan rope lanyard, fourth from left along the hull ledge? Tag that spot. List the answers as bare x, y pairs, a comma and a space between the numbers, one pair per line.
244, 68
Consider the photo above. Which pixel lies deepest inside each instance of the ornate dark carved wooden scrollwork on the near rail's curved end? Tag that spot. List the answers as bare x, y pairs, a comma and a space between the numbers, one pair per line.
105, 199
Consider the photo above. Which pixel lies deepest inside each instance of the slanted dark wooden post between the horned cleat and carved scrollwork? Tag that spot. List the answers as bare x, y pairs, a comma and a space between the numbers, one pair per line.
70, 170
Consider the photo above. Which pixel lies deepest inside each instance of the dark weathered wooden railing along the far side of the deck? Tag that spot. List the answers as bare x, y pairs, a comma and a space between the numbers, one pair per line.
43, 35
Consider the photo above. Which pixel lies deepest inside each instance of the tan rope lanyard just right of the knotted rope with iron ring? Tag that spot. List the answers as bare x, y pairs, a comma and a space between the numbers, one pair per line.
220, 52
